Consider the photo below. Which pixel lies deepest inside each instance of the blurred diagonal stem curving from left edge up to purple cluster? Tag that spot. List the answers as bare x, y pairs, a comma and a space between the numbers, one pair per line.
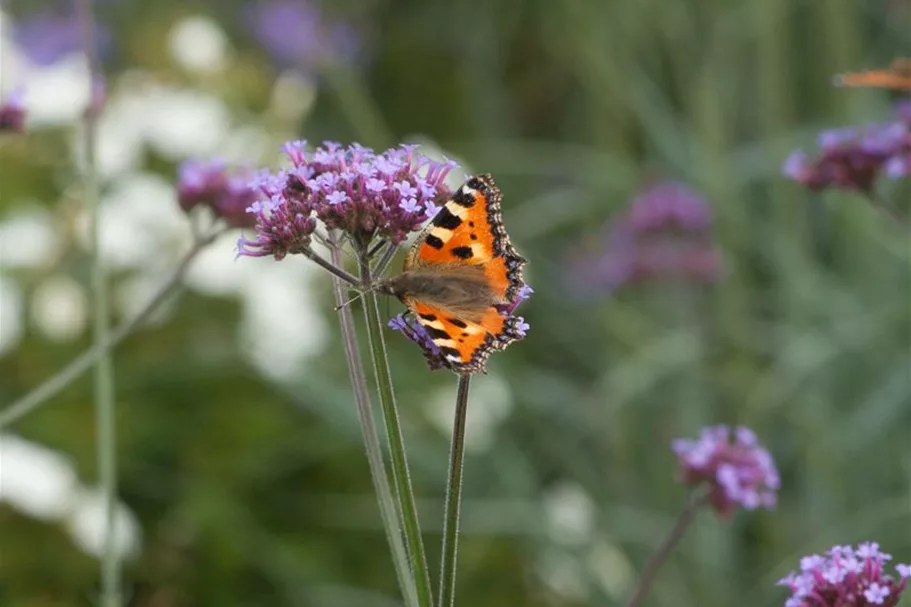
51, 387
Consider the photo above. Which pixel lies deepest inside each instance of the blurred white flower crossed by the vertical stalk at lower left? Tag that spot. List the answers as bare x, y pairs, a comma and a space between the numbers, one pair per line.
87, 525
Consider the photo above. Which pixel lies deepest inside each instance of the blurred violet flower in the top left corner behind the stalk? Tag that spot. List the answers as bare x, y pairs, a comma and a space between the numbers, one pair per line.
51, 35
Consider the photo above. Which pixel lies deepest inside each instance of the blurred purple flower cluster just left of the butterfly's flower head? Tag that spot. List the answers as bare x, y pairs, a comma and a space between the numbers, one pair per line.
210, 184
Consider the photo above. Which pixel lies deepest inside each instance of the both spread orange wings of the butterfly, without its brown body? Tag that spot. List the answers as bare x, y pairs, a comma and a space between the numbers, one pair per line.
469, 230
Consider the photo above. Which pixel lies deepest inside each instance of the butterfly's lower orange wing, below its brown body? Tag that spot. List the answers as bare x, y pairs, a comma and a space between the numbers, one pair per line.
465, 344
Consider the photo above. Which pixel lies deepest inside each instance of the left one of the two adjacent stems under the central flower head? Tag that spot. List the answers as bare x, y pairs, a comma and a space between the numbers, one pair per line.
383, 488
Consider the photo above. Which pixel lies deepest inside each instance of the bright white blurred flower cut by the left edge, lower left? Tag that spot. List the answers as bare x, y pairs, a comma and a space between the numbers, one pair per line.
37, 481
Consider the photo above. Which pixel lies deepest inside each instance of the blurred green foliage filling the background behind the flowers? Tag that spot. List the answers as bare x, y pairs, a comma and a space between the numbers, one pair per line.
254, 493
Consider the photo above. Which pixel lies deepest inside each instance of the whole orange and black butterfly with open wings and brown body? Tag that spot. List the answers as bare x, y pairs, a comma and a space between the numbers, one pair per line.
457, 273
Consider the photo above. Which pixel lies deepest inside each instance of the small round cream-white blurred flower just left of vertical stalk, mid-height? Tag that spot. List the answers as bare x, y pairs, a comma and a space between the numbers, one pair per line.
59, 308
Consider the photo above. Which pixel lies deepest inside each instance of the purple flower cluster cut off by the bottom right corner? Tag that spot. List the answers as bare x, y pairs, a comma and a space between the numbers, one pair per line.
846, 577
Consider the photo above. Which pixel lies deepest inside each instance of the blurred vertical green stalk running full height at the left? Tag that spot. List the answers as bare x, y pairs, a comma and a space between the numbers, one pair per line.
104, 370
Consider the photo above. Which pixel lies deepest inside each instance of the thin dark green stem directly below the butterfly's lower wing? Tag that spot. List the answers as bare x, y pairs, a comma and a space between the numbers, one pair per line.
454, 497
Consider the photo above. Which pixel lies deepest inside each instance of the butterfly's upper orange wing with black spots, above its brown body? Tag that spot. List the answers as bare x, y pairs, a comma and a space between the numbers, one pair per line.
469, 230
